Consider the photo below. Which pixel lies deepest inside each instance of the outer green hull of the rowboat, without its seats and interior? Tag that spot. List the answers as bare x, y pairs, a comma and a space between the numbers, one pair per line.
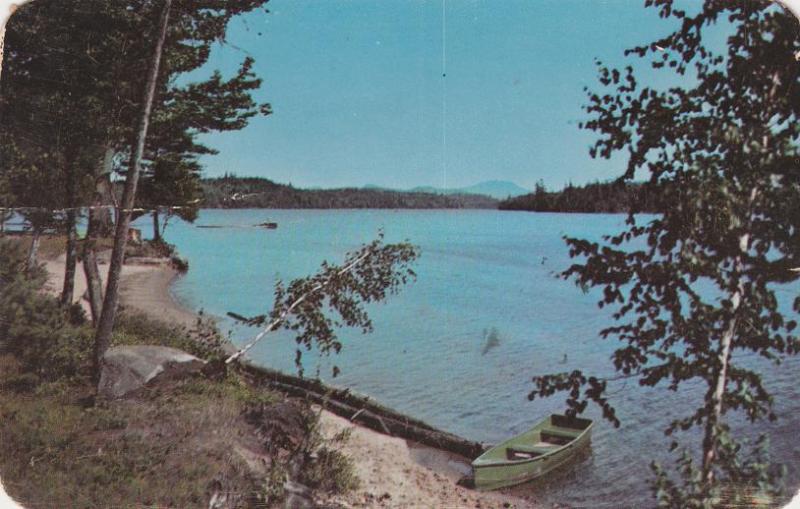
493, 474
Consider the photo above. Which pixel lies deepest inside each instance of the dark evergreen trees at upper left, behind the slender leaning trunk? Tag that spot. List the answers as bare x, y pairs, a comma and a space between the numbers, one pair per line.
72, 87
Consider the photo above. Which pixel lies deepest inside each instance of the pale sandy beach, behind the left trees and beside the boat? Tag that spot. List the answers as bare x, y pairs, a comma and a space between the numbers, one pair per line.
393, 472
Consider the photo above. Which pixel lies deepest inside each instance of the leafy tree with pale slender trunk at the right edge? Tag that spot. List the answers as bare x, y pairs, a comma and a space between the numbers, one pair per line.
694, 287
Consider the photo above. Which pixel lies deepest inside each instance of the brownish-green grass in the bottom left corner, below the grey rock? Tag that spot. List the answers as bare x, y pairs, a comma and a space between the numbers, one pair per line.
165, 450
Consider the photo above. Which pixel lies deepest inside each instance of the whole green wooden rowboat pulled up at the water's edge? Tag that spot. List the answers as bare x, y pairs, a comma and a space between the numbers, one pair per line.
543, 448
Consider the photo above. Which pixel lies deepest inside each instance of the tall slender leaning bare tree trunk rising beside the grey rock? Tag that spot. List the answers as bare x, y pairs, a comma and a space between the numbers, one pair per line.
106, 322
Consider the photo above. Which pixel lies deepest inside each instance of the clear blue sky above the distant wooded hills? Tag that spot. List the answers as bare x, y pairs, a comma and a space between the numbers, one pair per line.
448, 93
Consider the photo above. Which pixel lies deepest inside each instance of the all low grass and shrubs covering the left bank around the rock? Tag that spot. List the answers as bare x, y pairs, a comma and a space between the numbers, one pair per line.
176, 444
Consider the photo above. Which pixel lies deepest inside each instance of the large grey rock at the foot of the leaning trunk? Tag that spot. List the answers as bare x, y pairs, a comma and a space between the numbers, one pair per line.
128, 368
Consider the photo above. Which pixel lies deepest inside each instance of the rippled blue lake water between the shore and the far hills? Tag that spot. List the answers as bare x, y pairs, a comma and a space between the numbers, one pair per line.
480, 273
